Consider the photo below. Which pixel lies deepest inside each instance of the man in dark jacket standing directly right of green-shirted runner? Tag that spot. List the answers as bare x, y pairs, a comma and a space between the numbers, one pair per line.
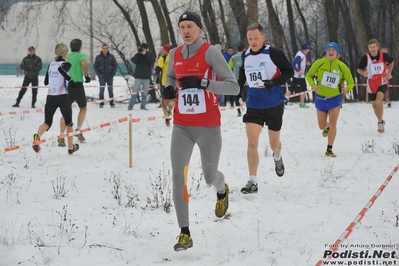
105, 67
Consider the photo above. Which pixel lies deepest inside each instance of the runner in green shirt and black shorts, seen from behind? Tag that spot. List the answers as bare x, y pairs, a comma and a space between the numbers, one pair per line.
79, 69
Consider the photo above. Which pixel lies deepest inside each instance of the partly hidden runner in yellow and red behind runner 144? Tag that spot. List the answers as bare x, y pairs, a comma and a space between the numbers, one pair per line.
161, 68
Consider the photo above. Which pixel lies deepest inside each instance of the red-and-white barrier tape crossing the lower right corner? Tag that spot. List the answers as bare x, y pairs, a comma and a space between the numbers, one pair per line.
361, 215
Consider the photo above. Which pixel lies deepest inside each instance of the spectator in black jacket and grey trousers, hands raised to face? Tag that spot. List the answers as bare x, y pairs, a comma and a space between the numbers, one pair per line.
144, 61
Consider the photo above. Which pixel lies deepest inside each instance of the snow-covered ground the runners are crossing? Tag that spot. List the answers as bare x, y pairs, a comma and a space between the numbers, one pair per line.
109, 213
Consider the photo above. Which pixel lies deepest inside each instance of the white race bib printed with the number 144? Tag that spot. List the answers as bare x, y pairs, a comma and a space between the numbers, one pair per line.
192, 101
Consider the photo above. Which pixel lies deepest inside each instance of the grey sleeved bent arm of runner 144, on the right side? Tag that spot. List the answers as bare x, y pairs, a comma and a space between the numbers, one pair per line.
227, 83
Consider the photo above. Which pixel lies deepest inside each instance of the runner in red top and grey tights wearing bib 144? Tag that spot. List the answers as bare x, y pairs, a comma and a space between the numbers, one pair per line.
191, 82
